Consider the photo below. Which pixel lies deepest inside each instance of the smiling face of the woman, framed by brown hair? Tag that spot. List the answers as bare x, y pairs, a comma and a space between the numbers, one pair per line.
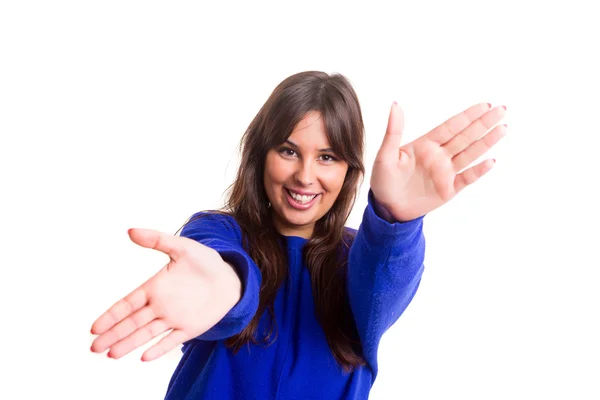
303, 177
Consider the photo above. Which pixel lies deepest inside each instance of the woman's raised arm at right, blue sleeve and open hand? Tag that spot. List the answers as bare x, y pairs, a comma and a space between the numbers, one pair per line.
385, 262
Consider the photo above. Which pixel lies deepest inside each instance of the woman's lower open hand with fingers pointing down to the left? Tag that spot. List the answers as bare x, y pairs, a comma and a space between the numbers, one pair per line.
187, 297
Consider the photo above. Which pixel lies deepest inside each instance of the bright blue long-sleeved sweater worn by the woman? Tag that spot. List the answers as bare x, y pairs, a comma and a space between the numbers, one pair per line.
385, 263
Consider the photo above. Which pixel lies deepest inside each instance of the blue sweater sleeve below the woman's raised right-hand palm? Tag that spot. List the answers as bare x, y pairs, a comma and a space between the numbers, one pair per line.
385, 265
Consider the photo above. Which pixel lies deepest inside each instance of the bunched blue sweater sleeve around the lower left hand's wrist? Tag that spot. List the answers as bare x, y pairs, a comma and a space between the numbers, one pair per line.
223, 234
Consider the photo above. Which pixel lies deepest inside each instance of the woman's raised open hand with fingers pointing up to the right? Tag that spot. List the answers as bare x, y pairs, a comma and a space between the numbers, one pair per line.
411, 180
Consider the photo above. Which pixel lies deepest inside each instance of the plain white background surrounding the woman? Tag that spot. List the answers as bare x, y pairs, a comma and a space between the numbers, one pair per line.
122, 114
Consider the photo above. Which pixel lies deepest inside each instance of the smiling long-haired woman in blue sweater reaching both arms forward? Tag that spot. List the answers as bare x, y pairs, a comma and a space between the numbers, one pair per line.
272, 297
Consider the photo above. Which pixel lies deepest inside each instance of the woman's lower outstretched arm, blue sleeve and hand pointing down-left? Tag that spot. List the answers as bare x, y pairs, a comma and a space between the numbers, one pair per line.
207, 291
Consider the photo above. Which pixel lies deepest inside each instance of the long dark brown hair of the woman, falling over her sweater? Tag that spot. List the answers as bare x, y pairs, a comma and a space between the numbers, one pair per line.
325, 253
